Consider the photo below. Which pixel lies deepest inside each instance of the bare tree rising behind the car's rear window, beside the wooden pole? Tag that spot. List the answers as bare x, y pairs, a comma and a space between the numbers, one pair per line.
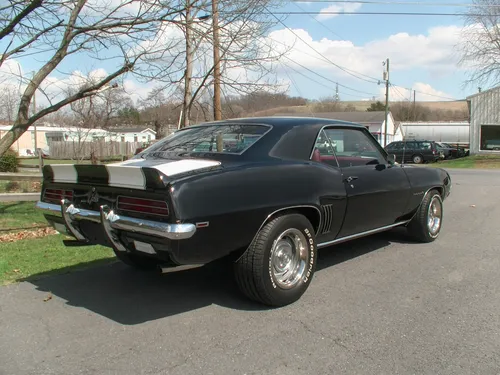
247, 56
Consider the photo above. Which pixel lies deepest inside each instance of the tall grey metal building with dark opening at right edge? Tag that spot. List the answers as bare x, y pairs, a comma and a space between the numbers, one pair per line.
484, 108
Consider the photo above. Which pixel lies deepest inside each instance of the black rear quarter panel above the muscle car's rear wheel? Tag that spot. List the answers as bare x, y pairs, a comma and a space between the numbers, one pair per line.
236, 202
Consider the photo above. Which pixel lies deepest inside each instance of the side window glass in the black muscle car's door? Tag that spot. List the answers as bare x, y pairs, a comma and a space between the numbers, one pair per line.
353, 147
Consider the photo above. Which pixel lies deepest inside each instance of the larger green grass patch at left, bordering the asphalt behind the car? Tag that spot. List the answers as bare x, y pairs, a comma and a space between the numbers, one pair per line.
32, 258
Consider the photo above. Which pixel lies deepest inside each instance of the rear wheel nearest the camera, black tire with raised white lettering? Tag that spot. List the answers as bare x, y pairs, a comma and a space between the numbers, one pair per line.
254, 270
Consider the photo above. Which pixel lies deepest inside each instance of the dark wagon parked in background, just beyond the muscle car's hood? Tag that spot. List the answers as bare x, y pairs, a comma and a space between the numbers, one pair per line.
414, 151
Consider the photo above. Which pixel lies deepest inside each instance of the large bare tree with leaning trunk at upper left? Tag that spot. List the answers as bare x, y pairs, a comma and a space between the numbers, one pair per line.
101, 30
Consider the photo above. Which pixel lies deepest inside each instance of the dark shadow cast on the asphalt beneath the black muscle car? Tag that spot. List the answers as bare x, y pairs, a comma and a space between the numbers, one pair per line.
131, 297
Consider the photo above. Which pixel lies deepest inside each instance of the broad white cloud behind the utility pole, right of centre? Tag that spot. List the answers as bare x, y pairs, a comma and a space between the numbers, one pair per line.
433, 52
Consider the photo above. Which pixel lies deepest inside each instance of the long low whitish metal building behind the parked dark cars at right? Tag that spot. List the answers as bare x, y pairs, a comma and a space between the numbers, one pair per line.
452, 132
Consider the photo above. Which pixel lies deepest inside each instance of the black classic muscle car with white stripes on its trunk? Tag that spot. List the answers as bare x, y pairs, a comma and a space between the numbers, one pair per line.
265, 193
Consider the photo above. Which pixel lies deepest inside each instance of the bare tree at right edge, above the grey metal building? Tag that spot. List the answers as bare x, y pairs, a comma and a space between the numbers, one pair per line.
480, 47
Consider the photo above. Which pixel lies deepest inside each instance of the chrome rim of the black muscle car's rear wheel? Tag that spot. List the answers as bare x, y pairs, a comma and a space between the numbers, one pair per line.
289, 256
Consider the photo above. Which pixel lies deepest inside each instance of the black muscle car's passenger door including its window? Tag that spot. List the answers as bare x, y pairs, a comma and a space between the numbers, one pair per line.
377, 190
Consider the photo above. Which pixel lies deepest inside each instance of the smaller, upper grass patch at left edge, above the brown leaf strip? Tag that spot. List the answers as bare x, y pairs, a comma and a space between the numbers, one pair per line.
20, 215
